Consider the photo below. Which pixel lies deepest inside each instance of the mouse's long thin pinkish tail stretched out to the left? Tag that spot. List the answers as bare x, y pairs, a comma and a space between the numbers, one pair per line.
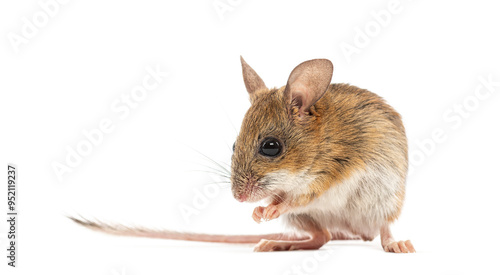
122, 230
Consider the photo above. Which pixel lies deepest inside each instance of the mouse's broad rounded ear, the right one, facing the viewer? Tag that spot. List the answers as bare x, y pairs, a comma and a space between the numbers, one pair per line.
307, 83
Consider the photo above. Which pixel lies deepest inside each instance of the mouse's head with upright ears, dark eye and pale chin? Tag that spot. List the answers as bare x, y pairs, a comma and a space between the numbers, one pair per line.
278, 140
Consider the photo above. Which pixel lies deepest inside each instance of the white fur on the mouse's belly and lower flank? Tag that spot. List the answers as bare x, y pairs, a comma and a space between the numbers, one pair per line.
360, 204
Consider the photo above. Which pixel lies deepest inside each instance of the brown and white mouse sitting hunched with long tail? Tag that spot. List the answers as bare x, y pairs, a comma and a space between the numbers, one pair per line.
328, 159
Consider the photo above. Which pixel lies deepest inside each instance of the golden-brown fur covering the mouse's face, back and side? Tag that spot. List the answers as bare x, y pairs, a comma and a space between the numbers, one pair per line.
346, 129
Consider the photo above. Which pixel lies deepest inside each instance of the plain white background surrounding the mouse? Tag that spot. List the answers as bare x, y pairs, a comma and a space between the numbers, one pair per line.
426, 61
